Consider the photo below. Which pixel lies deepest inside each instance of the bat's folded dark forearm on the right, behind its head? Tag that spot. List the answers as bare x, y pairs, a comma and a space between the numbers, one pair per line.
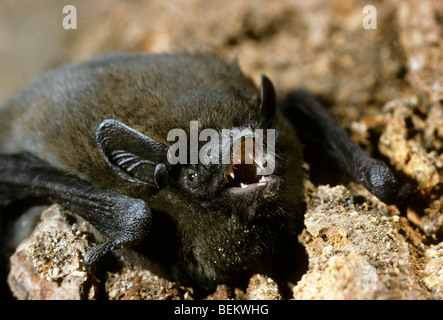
314, 123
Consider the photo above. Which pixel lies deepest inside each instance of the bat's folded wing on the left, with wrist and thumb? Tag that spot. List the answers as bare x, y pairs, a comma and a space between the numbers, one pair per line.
122, 219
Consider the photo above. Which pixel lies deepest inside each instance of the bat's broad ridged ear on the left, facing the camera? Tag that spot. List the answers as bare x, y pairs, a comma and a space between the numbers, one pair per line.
134, 156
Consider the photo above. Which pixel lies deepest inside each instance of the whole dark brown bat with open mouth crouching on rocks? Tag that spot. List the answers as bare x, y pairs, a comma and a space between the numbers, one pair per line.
93, 137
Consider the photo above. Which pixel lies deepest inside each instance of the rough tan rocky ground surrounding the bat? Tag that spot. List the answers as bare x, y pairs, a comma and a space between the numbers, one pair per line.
384, 86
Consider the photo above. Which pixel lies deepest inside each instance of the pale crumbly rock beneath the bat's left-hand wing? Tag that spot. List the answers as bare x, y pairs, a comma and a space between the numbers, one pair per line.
49, 264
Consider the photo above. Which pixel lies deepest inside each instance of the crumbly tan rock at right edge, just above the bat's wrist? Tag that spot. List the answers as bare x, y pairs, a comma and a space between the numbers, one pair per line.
411, 141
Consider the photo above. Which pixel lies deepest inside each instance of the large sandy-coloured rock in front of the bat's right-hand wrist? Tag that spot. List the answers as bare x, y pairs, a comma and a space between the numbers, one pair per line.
355, 251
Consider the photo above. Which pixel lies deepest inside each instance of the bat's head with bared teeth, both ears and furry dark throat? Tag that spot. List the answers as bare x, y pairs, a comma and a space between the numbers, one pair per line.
230, 194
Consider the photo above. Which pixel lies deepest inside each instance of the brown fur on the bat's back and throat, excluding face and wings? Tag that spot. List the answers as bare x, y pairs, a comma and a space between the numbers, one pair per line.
197, 241
